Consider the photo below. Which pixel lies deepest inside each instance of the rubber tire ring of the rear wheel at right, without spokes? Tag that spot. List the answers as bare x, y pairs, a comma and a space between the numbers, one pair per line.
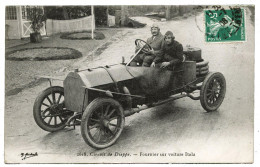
205, 84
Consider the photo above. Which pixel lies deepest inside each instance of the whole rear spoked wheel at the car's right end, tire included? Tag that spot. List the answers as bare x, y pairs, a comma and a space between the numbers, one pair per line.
213, 91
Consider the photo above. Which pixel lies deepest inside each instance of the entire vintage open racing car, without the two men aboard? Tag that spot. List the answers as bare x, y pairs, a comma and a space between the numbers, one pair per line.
99, 99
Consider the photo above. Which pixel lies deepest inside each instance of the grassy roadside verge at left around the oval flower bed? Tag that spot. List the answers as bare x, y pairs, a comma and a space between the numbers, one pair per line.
20, 74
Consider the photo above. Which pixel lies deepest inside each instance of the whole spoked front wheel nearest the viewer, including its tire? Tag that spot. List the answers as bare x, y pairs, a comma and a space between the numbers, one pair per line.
102, 122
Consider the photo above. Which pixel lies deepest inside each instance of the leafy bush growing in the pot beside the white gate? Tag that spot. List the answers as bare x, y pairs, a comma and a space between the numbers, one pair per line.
36, 16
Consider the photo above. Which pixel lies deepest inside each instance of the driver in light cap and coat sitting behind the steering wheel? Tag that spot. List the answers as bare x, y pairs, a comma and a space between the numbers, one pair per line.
156, 42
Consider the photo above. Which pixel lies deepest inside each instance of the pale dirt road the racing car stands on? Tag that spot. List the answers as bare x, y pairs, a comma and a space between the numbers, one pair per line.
179, 127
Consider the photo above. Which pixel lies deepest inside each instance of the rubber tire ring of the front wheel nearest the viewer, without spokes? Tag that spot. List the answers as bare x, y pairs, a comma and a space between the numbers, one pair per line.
92, 106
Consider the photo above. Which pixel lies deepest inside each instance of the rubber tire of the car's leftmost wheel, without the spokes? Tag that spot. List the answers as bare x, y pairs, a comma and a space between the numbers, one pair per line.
37, 108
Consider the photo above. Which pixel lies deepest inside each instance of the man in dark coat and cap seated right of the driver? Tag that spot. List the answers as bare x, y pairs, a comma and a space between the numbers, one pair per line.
171, 55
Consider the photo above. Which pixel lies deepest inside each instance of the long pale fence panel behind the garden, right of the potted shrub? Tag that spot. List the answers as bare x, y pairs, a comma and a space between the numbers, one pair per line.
58, 26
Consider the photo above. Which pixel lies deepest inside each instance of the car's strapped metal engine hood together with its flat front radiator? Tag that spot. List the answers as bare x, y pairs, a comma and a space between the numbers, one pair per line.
75, 94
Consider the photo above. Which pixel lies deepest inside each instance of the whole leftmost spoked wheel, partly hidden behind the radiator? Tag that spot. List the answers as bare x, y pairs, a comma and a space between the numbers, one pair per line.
48, 109
